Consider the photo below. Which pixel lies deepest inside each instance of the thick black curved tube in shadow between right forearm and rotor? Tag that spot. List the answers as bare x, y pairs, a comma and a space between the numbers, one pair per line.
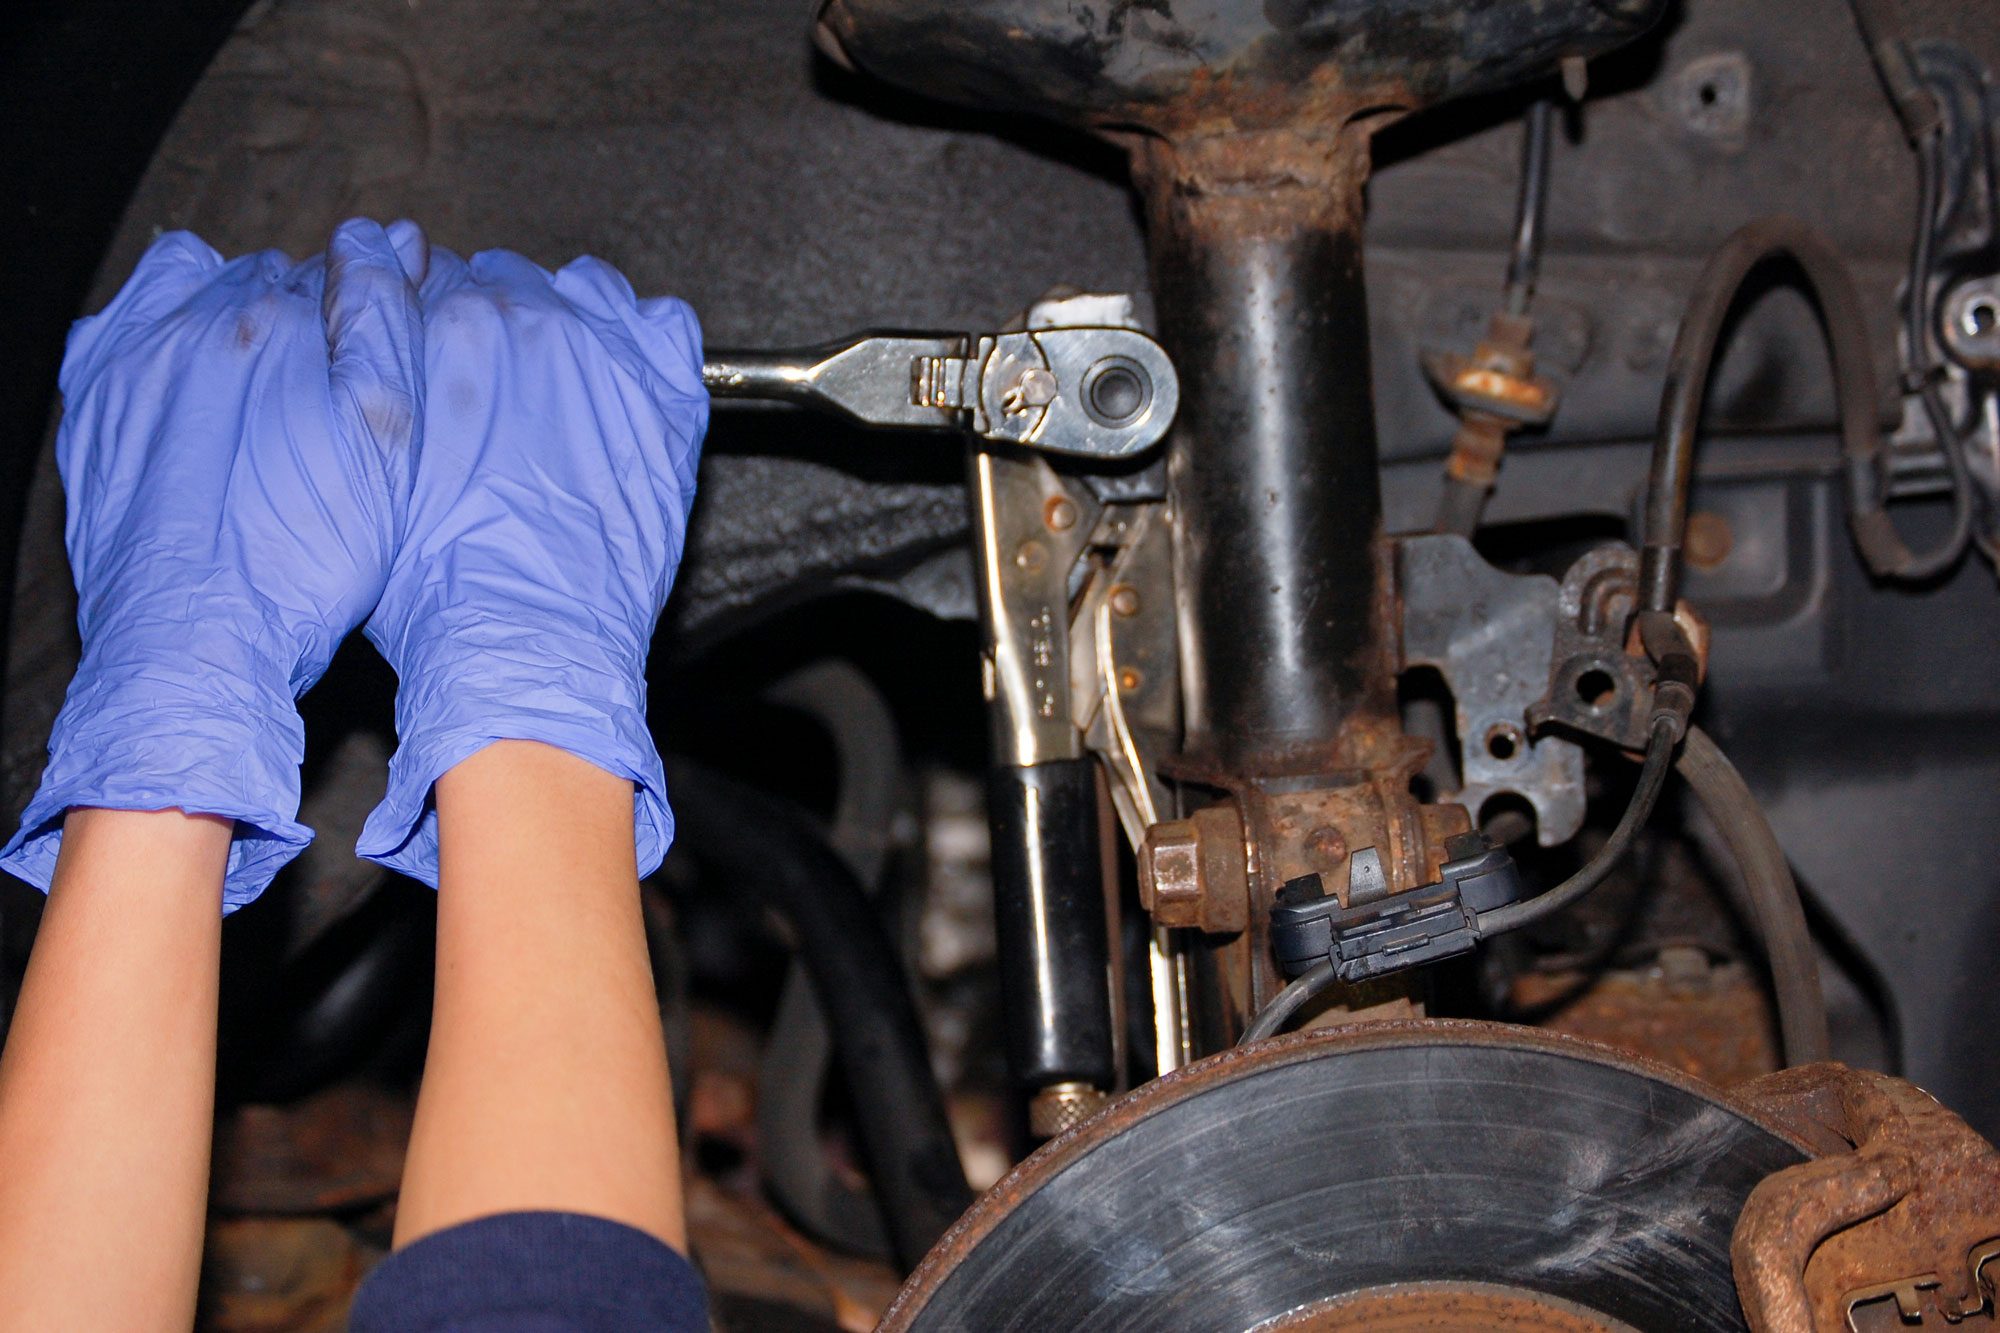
773, 850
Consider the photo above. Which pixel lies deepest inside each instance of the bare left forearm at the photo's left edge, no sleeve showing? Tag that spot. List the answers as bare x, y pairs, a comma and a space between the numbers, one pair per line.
107, 1088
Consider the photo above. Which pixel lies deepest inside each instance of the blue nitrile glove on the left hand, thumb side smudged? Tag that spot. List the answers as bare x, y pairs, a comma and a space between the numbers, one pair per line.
239, 445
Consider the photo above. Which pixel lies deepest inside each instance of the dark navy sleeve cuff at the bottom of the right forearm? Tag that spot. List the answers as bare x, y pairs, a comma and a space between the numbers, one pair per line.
533, 1274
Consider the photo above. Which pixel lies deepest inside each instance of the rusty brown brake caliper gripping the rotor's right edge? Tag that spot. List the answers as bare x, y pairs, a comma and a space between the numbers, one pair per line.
1903, 1208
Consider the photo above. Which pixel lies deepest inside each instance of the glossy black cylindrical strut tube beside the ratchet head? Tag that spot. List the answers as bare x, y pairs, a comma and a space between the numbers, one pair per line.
1273, 471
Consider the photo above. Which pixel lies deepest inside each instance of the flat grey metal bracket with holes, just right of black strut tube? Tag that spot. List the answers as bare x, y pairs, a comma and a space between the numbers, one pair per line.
1491, 635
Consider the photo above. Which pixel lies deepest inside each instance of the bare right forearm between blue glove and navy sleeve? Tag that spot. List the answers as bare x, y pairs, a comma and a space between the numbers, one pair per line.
547, 1080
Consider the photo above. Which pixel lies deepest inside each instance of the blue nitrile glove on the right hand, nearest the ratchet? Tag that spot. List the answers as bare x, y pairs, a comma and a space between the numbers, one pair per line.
563, 425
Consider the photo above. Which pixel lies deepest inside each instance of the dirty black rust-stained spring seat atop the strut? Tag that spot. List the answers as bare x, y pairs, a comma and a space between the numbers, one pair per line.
1221, 65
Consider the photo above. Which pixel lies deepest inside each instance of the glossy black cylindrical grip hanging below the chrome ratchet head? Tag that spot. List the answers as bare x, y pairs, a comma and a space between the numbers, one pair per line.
1049, 916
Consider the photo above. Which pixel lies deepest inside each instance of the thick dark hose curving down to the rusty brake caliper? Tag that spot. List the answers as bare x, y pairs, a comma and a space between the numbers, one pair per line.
1775, 904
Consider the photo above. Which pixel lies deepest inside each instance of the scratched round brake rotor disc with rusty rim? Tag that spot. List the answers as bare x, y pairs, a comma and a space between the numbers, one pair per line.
1427, 1176
